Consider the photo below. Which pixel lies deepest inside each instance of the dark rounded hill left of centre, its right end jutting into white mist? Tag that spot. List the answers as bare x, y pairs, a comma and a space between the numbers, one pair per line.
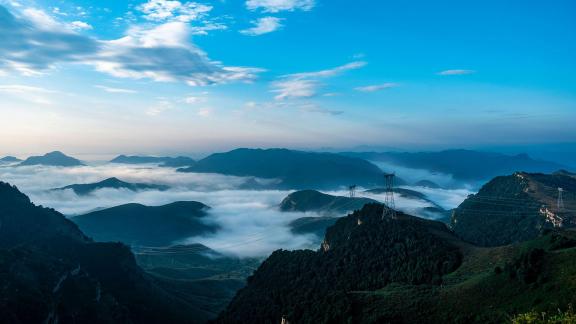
136, 224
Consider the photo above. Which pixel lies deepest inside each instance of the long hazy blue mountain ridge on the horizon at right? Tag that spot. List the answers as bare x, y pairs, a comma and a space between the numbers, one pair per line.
465, 165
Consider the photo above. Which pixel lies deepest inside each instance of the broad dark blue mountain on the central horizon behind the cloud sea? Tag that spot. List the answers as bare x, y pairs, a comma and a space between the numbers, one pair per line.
294, 169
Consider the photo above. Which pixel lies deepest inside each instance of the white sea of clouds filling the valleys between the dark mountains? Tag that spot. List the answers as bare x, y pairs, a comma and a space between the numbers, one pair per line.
250, 221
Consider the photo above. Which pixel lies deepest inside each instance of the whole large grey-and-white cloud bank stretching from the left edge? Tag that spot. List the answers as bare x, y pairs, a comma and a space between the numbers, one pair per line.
161, 52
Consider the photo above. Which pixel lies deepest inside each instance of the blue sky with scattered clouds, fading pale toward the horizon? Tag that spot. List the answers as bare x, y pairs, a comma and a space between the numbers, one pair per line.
172, 77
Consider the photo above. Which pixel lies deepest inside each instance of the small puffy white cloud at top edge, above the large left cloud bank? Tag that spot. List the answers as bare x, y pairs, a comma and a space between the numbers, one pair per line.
166, 10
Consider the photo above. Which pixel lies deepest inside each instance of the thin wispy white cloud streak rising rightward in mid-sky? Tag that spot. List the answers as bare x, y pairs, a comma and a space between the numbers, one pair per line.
305, 85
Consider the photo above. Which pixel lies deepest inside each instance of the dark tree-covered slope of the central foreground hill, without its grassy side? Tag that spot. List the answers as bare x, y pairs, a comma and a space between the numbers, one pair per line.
314, 286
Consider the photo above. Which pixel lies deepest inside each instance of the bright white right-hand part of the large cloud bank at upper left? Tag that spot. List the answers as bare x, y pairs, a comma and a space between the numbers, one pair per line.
164, 53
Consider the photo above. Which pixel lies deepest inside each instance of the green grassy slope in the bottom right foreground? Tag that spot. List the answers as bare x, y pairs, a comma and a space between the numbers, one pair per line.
475, 292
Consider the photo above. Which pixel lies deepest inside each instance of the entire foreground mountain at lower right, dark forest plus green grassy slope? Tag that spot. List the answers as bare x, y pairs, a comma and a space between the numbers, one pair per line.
407, 270
